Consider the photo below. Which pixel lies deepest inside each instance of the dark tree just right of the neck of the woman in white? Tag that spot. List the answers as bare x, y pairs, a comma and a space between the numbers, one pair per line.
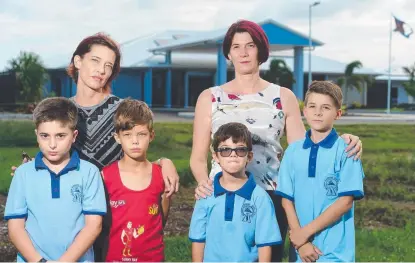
279, 73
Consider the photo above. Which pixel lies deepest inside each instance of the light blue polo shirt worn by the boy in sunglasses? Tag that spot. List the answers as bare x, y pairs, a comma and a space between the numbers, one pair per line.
234, 224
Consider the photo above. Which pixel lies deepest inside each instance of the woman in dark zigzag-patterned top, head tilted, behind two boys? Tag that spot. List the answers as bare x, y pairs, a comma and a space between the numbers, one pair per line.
94, 64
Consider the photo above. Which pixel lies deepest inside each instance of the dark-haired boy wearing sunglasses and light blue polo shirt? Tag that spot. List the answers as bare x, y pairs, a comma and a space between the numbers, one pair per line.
237, 223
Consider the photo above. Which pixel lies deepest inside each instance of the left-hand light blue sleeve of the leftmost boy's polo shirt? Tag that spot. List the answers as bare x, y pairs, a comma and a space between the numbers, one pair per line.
16, 205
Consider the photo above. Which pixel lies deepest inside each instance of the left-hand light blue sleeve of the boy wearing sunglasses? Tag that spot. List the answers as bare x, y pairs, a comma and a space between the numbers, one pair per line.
197, 230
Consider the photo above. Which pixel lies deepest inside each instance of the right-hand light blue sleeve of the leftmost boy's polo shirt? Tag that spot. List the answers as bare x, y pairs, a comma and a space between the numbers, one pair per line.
93, 198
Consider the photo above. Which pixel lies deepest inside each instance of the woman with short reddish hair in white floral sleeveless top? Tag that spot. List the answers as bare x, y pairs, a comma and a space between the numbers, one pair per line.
268, 111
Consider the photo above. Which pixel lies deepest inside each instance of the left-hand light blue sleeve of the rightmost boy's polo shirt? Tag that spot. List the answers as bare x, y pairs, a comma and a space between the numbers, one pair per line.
285, 185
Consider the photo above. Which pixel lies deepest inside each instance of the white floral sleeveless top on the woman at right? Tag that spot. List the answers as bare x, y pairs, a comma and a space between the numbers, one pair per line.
262, 113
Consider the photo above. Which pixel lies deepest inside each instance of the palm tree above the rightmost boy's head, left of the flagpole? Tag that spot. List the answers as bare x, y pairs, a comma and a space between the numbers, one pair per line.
352, 81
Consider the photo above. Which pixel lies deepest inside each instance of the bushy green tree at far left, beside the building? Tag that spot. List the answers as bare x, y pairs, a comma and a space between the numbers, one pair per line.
31, 76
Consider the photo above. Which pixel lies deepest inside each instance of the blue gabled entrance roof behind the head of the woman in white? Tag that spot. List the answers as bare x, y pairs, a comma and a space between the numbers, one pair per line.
277, 33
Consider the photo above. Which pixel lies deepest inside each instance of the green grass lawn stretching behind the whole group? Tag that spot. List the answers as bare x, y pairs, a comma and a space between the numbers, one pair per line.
385, 219
